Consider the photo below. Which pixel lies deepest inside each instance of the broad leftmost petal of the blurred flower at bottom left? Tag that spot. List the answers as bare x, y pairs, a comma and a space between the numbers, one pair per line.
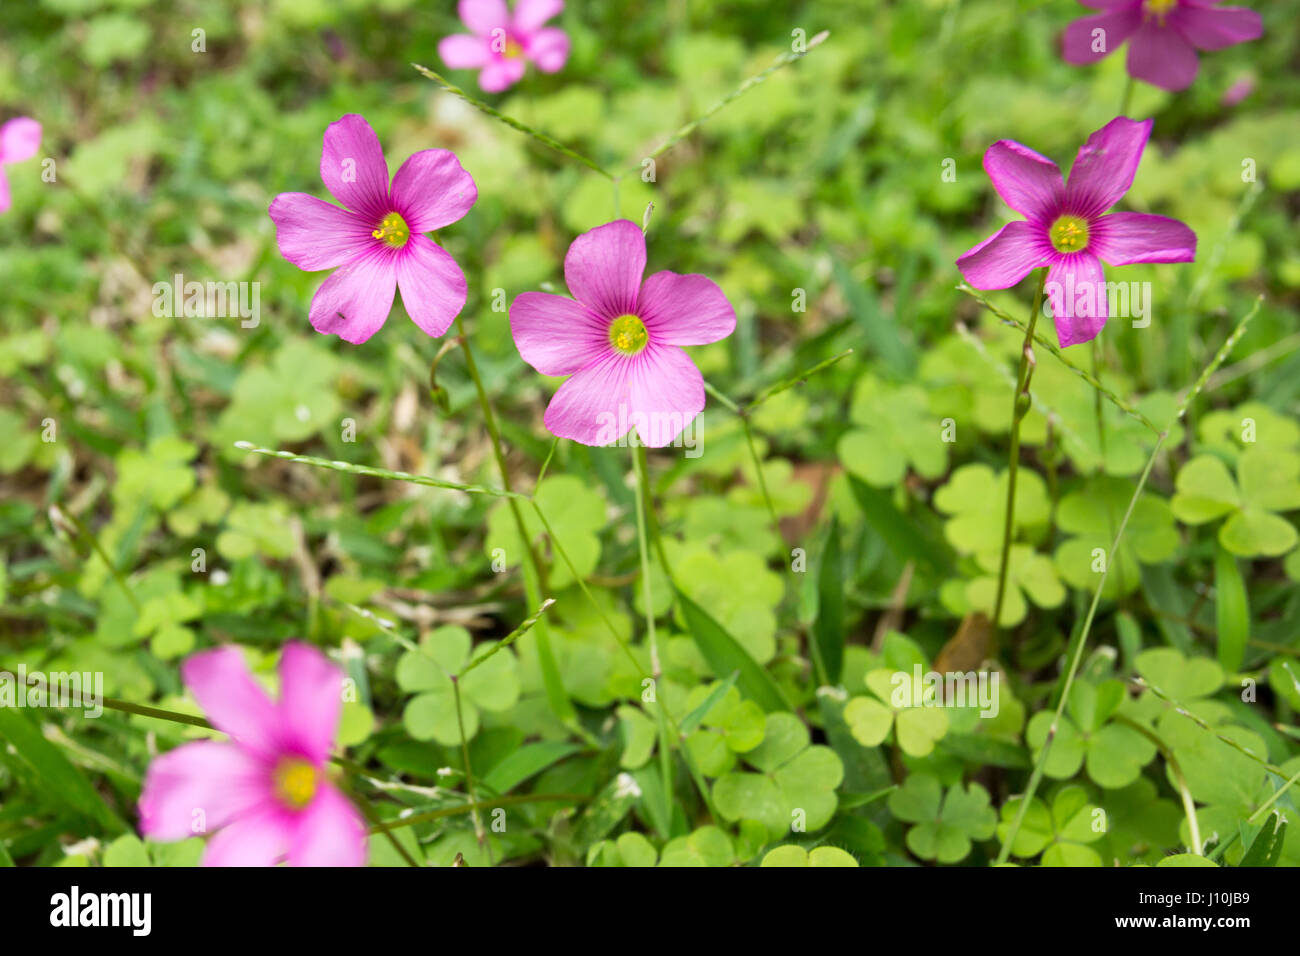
200, 788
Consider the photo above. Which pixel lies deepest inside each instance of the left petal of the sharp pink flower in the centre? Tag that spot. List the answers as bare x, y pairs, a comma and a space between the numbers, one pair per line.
557, 335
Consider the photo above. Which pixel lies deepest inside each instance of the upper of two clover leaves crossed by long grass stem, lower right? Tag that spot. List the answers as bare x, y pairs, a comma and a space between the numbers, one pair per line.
1115, 752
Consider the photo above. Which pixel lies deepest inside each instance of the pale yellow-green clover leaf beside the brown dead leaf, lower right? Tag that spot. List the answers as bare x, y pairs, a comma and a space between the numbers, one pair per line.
903, 704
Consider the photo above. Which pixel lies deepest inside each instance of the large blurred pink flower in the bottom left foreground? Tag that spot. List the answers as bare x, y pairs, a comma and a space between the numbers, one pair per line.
265, 794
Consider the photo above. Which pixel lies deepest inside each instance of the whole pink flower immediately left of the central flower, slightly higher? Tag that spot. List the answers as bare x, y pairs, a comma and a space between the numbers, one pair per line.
376, 243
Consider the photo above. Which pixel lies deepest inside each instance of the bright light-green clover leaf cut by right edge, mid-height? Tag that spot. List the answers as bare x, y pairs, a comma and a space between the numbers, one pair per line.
1268, 482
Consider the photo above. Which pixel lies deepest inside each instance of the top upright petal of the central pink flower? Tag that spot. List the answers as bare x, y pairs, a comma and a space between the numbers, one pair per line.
604, 269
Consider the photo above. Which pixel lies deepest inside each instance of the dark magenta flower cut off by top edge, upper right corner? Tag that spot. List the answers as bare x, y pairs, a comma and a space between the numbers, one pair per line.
1165, 36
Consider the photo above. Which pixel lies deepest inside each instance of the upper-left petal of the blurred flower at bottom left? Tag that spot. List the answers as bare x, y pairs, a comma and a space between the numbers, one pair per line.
233, 702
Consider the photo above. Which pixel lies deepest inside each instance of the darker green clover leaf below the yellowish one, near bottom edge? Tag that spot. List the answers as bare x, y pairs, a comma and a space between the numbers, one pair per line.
944, 824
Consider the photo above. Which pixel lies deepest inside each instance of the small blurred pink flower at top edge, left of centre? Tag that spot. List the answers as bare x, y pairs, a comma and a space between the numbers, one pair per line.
499, 44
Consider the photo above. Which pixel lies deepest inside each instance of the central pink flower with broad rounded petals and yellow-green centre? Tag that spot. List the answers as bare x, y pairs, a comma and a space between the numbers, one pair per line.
621, 340
